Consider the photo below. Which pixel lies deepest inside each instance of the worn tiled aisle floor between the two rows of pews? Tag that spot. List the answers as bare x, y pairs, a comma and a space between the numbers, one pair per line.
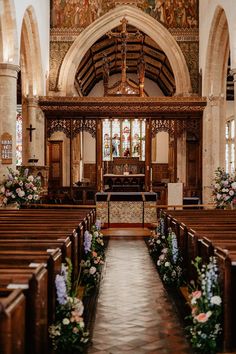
134, 314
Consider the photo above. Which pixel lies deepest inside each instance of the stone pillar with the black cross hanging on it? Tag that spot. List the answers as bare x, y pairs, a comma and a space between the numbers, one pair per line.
31, 146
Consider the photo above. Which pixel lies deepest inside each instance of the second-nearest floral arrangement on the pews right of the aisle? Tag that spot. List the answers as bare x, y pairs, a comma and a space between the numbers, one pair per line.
169, 263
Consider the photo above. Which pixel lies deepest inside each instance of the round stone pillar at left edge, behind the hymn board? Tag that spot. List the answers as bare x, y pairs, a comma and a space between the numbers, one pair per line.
8, 83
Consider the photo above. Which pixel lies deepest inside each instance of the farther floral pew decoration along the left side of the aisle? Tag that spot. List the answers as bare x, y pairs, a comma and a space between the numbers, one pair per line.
93, 259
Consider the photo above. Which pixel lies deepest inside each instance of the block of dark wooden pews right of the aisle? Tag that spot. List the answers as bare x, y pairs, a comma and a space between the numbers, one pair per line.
221, 241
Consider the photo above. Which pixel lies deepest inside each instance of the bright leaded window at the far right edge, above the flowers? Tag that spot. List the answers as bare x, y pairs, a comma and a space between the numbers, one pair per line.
230, 146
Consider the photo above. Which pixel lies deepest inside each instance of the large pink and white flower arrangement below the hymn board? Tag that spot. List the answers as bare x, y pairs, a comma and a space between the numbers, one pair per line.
20, 187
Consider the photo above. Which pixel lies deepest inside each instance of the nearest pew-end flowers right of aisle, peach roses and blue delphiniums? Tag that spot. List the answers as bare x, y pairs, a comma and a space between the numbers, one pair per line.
206, 316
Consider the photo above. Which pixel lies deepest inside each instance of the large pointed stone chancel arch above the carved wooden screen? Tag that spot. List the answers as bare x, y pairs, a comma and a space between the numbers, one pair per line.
110, 20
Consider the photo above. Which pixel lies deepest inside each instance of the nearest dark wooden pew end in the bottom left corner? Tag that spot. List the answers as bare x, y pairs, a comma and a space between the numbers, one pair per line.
12, 324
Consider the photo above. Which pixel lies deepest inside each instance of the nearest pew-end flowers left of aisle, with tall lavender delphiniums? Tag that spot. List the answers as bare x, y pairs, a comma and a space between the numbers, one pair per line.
68, 332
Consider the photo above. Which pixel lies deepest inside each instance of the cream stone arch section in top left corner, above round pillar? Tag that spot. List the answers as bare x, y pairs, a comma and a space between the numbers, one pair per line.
8, 33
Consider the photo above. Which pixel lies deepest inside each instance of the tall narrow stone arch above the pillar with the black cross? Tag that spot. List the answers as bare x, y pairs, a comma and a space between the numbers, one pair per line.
30, 55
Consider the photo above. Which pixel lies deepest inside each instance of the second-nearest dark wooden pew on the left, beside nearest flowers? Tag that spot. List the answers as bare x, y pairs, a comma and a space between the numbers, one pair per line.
33, 281
